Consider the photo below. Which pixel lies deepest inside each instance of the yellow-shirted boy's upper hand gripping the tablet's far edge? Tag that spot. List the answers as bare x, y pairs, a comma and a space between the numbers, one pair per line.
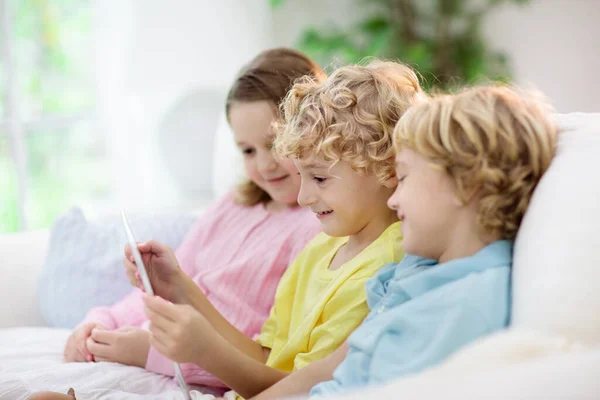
161, 265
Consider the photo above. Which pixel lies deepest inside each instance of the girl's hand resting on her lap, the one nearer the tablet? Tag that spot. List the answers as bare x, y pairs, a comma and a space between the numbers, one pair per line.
128, 346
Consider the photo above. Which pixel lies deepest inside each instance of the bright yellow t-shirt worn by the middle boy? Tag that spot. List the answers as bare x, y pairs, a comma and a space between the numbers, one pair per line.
315, 308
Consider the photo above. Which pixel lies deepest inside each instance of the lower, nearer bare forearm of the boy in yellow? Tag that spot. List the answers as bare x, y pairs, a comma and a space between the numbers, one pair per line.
242, 373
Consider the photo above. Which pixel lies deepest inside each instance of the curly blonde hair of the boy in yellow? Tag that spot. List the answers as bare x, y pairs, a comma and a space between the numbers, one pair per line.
349, 117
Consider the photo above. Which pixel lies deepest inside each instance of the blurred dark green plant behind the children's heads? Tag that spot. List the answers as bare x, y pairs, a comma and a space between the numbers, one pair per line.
442, 39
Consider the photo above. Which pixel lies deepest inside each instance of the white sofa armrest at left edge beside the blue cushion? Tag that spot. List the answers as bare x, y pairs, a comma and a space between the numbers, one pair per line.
21, 259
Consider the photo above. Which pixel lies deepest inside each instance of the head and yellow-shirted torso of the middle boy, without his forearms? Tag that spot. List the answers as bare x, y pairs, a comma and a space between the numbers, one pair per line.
339, 135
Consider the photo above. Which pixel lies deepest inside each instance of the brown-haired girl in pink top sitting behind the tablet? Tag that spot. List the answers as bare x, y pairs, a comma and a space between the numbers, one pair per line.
238, 250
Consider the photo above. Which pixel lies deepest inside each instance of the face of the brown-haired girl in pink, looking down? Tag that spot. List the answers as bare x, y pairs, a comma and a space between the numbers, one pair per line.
251, 124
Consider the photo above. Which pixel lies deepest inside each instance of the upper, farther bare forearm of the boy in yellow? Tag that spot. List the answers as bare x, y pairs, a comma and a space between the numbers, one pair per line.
193, 296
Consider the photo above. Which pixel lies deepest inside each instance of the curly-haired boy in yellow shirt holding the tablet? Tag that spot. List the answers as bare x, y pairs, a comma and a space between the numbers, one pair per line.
339, 135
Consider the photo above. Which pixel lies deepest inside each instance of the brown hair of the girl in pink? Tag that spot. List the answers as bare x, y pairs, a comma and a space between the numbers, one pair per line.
267, 77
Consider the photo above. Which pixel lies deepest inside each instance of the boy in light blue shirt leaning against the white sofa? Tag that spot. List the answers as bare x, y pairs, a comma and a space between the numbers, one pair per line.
466, 166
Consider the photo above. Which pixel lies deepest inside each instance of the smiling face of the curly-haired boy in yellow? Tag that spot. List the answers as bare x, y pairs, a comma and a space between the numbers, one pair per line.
343, 200
